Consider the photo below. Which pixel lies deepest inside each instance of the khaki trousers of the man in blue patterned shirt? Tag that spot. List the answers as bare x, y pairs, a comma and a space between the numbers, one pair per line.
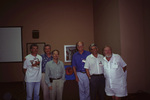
45, 88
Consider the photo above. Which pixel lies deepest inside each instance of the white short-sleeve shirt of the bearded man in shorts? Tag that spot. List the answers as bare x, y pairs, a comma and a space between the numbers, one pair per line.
113, 72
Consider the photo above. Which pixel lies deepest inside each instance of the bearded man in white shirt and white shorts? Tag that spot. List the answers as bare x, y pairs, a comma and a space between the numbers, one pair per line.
115, 73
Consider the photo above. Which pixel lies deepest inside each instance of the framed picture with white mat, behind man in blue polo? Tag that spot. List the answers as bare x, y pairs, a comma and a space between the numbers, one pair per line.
69, 50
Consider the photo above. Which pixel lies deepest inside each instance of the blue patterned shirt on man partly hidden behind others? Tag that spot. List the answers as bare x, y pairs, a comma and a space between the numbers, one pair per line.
45, 59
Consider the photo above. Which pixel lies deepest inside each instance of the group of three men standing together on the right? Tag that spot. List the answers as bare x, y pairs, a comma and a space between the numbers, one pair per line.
98, 74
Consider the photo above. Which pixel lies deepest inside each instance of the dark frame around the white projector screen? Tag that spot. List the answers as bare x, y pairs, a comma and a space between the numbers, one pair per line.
21, 43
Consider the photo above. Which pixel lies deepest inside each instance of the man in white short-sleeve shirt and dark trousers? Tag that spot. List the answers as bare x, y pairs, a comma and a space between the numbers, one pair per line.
94, 70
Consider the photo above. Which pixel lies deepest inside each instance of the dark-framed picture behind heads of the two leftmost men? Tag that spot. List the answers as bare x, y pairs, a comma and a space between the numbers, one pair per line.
40, 47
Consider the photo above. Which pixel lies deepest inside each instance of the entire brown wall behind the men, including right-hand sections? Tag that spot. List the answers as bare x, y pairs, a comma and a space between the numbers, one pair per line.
122, 24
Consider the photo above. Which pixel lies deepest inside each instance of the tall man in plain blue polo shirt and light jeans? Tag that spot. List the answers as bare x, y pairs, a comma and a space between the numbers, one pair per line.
78, 61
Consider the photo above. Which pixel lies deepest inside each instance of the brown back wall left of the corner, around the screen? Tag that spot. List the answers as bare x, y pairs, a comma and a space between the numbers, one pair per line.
61, 22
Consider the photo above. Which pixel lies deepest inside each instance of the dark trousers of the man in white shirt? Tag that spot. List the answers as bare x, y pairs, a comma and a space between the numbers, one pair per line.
97, 87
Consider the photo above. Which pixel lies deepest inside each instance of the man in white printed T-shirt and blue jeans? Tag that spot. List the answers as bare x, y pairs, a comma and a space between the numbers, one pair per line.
32, 69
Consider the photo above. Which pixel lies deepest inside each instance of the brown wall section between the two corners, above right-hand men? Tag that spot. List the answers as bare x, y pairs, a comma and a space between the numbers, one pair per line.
106, 24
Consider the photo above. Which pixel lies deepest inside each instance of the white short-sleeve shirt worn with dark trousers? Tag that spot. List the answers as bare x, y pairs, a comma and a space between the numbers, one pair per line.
95, 65
